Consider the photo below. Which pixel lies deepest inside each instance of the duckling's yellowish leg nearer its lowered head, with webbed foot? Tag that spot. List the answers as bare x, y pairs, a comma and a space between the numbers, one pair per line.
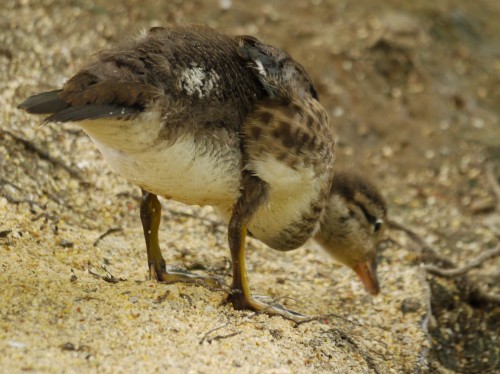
253, 195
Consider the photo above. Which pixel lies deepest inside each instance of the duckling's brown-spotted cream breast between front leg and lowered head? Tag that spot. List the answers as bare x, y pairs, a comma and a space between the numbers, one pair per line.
290, 147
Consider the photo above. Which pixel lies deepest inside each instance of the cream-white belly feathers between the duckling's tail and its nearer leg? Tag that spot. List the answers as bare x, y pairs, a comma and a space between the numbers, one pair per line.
196, 171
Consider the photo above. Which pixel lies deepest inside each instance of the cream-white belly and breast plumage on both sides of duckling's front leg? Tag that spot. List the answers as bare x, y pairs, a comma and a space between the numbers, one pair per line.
202, 171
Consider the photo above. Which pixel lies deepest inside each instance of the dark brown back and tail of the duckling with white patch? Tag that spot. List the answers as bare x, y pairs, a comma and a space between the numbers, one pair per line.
195, 71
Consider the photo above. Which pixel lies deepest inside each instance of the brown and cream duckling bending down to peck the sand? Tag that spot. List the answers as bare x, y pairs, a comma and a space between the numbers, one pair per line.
197, 116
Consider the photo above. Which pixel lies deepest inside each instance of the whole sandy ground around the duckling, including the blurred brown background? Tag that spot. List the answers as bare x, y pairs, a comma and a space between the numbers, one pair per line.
411, 89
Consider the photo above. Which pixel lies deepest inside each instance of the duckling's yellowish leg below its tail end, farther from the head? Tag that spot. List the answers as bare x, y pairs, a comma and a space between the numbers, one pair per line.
150, 217
